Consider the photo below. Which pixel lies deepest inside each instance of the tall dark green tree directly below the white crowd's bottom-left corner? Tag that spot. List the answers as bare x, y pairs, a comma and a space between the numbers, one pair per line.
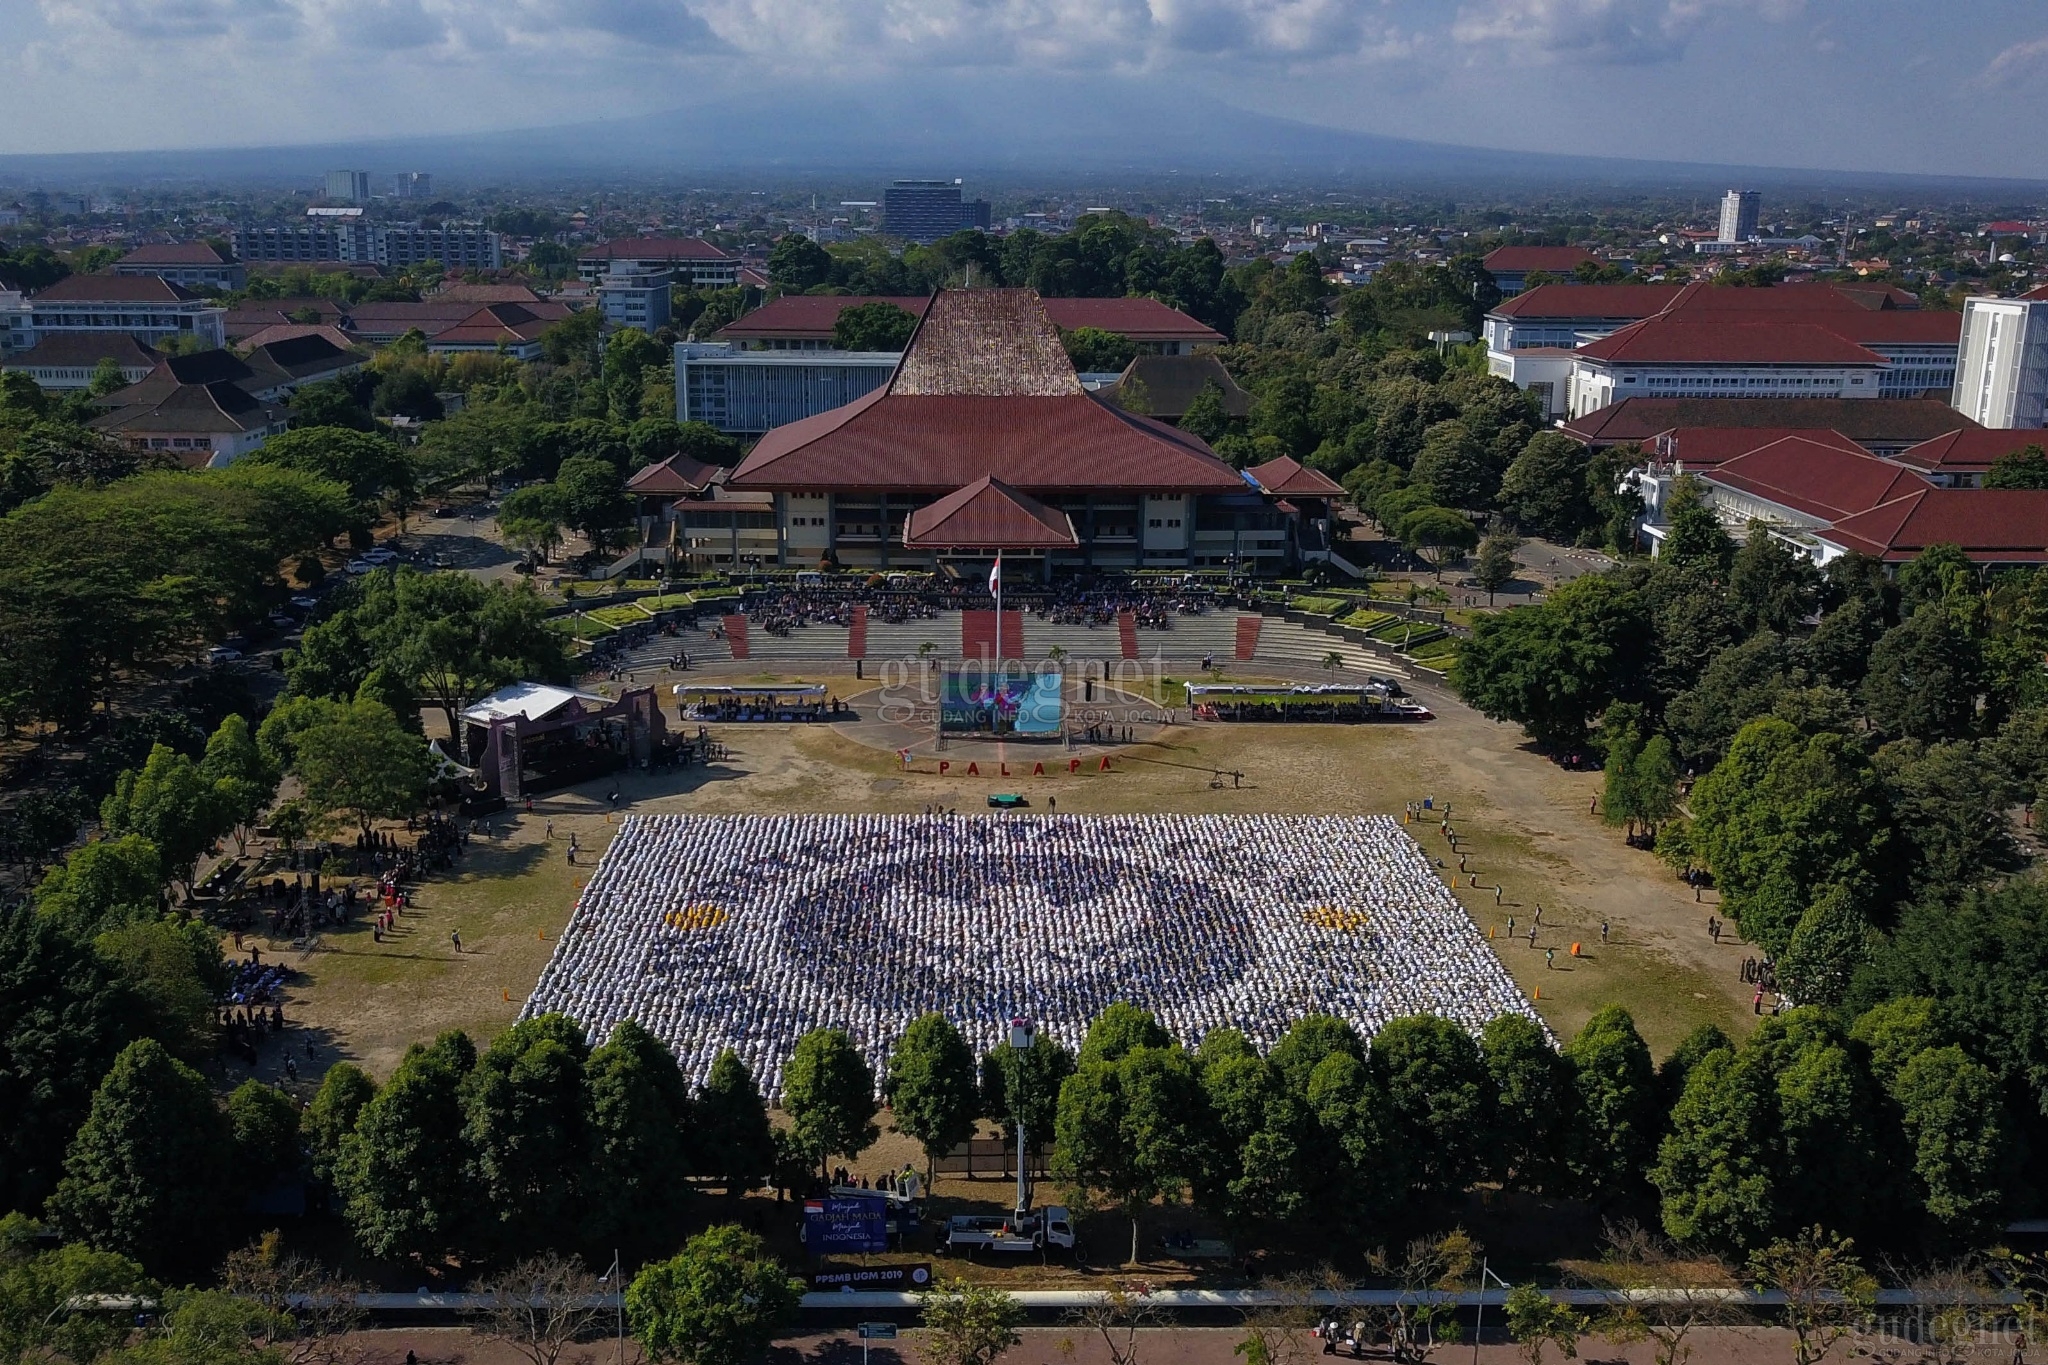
525, 1108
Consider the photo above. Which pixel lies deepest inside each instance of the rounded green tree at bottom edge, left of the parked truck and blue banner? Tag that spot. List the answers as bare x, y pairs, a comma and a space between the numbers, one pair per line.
720, 1303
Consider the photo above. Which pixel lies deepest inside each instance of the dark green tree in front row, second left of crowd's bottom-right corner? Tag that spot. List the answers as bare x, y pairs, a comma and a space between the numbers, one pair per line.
1443, 1102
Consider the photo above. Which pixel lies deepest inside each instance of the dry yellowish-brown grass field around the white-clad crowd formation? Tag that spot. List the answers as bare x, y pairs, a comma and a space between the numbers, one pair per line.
1531, 838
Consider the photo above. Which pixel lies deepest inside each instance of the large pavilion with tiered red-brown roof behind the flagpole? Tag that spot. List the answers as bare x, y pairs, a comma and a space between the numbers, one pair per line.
986, 439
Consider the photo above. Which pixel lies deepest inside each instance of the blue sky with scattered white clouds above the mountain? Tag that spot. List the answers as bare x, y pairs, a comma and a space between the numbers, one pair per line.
1955, 87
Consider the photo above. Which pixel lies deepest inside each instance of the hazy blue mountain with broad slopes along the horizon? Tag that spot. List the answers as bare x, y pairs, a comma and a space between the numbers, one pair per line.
990, 132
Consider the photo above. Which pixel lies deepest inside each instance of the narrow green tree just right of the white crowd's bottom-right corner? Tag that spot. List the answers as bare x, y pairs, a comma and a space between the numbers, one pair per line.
1619, 1098
